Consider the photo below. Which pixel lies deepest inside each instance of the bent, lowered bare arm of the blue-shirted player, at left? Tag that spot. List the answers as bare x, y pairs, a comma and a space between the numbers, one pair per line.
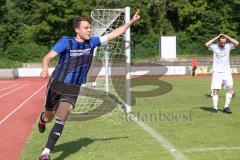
45, 62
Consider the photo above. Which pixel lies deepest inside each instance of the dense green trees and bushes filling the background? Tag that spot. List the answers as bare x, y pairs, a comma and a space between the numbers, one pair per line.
29, 28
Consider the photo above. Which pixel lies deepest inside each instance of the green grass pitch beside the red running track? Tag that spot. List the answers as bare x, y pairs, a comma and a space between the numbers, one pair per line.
191, 127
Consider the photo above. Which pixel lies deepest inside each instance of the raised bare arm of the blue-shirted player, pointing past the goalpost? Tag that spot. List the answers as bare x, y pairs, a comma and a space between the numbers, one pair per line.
120, 30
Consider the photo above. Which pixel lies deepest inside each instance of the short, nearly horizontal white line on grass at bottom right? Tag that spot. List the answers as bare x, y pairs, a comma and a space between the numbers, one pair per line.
210, 149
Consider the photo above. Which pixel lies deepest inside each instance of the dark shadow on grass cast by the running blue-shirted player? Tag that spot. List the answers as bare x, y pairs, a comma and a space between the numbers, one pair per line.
72, 147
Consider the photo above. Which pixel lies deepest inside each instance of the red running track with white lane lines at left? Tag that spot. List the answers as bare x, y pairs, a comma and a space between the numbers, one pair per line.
21, 101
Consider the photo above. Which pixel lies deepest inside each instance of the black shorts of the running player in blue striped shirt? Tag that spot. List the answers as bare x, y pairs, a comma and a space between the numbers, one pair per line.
59, 92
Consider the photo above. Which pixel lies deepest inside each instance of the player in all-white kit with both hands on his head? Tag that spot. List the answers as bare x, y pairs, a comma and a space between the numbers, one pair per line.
221, 68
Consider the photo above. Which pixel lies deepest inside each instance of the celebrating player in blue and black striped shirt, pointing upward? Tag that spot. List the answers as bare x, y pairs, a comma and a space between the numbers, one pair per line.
70, 73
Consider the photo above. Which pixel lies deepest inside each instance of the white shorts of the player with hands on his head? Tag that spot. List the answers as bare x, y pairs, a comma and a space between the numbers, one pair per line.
221, 79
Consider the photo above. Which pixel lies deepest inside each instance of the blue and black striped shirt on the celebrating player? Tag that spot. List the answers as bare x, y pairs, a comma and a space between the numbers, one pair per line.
75, 59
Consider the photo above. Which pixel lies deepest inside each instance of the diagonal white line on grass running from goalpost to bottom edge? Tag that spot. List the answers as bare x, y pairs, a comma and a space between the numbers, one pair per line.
176, 153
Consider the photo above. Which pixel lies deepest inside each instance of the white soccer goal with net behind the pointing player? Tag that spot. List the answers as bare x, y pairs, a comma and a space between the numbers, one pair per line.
108, 82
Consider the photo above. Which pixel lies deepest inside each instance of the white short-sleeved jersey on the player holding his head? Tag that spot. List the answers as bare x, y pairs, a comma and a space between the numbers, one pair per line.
221, 61
